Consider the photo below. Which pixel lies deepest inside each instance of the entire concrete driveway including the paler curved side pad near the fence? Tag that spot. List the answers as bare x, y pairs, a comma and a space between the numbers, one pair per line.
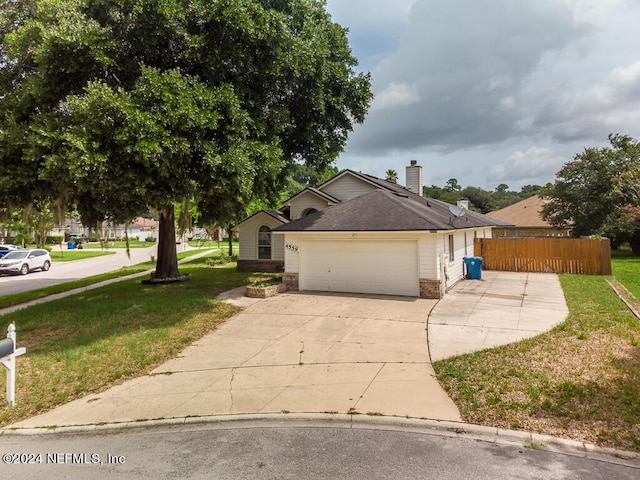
328, 353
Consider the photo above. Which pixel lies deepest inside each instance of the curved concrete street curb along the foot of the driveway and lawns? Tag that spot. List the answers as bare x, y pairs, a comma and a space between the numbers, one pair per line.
441, 428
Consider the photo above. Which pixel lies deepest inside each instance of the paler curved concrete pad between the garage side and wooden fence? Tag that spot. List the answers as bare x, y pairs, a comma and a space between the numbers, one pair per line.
502, 308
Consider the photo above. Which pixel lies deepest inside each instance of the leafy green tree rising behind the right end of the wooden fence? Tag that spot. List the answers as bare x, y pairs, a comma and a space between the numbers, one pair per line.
598, 192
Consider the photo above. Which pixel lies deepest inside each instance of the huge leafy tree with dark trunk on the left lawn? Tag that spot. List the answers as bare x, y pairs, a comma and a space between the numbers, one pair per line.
122, 106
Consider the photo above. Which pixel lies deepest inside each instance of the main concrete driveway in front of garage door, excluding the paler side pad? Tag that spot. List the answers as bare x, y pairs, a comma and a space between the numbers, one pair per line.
295, 352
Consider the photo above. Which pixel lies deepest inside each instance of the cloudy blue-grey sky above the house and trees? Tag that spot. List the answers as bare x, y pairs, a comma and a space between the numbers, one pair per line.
491, 91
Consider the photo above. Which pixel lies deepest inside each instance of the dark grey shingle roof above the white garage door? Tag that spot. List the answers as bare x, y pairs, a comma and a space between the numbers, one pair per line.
382, 210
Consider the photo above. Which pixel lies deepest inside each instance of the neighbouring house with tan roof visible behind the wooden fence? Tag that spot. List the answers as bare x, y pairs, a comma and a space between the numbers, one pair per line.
526, 220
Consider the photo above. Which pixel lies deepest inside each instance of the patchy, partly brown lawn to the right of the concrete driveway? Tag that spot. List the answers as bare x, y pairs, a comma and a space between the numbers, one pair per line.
581, 380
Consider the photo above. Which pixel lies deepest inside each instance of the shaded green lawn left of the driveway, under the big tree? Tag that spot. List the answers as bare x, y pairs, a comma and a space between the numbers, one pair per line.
88, 342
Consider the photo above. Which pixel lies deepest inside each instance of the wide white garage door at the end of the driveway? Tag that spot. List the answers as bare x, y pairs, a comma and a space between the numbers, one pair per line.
360, 266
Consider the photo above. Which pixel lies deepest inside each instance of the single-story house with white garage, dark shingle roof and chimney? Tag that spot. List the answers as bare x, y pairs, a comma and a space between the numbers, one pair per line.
361, 234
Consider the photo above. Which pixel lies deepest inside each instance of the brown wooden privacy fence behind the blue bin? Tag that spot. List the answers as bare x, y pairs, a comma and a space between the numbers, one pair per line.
549, 254
